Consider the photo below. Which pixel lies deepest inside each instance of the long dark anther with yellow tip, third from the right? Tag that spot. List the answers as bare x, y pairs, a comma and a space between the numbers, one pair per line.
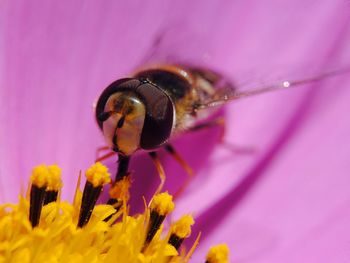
161, 205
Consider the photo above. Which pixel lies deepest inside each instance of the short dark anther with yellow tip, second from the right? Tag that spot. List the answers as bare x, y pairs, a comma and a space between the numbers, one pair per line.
180, 230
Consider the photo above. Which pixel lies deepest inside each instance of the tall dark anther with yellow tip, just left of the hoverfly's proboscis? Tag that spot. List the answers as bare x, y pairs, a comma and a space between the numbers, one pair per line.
96, 177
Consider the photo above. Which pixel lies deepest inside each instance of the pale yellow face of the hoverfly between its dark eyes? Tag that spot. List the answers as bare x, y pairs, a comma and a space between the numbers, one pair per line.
123, 128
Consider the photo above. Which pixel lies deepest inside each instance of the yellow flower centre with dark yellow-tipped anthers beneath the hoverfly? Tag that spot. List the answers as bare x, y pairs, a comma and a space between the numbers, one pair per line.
49, 233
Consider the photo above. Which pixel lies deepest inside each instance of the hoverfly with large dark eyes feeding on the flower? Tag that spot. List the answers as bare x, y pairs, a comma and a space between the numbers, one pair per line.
157, 103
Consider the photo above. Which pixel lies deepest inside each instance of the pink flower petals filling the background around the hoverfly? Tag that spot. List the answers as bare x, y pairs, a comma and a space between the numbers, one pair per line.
285, 202
